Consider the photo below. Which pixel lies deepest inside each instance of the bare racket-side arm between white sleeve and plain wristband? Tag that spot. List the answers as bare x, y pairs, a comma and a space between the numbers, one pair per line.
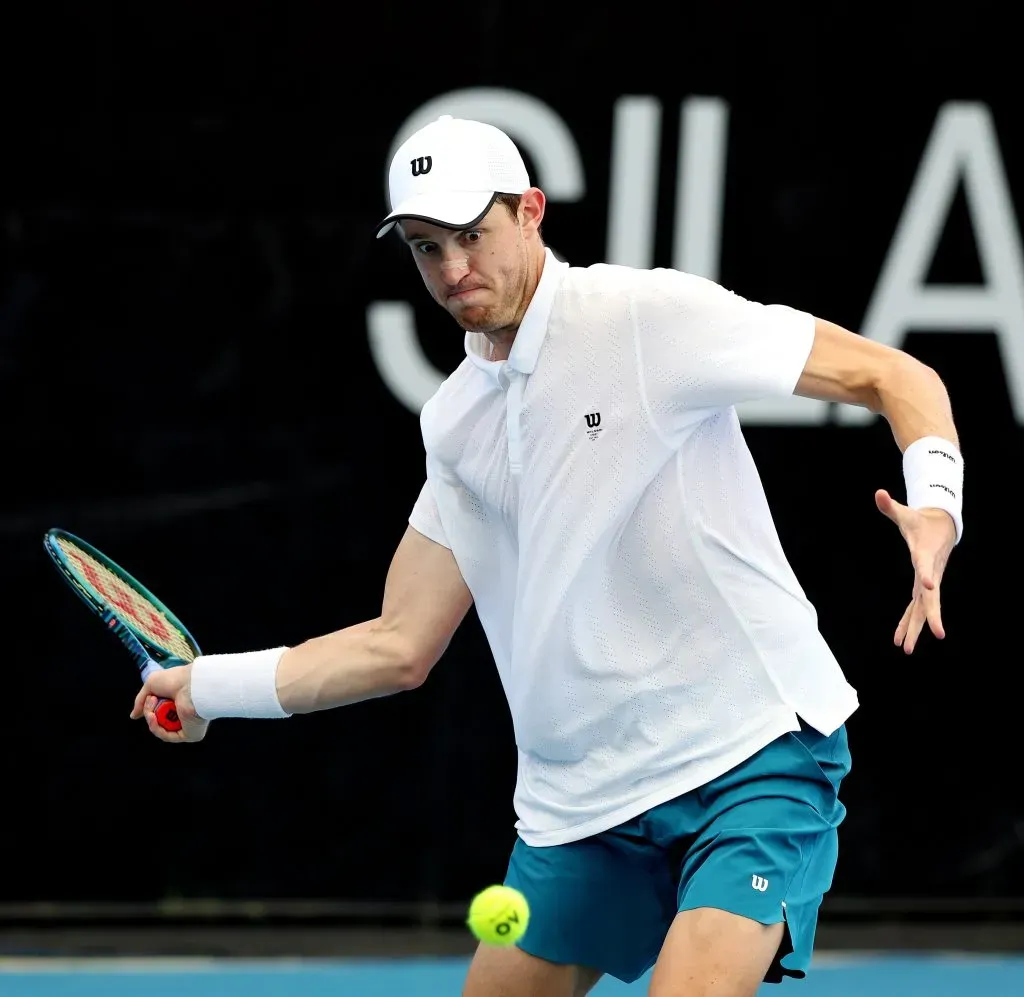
425, 600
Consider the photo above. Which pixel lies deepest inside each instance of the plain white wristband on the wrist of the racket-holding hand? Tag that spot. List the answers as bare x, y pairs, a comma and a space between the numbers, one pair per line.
237, 685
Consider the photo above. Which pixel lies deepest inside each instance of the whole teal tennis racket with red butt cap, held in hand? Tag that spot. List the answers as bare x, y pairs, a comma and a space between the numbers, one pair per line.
154, 636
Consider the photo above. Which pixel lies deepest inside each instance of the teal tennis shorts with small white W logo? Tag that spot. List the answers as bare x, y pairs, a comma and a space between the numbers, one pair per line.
760, 841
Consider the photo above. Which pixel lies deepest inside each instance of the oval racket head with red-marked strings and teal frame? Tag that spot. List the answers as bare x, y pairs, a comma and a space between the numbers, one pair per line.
108, 589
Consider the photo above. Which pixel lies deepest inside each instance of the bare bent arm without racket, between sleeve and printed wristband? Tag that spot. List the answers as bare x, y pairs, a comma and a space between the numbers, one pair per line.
845, 367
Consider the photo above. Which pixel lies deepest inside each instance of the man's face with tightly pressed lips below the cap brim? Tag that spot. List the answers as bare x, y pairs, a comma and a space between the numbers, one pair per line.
479, 275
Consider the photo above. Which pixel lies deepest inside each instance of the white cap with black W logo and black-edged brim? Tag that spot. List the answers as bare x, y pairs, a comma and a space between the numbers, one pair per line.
450, 172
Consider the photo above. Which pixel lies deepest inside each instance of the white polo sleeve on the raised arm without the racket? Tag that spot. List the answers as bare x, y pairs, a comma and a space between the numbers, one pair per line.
704, 348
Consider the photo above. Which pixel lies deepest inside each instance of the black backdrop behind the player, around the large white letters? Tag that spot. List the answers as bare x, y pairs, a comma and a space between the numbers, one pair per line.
186, 266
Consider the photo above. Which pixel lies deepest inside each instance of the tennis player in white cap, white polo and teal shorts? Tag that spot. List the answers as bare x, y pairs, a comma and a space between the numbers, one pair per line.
679, 719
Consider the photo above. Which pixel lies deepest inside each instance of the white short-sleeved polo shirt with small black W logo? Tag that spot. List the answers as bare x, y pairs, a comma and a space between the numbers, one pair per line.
601, 501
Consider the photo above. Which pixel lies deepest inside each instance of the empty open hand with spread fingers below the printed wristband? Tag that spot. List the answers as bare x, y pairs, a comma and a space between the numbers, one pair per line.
930, 536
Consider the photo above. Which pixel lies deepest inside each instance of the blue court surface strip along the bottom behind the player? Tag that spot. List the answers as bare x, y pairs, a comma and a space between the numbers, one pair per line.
835, 976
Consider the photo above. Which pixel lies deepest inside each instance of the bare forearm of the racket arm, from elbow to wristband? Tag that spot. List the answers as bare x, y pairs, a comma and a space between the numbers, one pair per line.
364, 662
